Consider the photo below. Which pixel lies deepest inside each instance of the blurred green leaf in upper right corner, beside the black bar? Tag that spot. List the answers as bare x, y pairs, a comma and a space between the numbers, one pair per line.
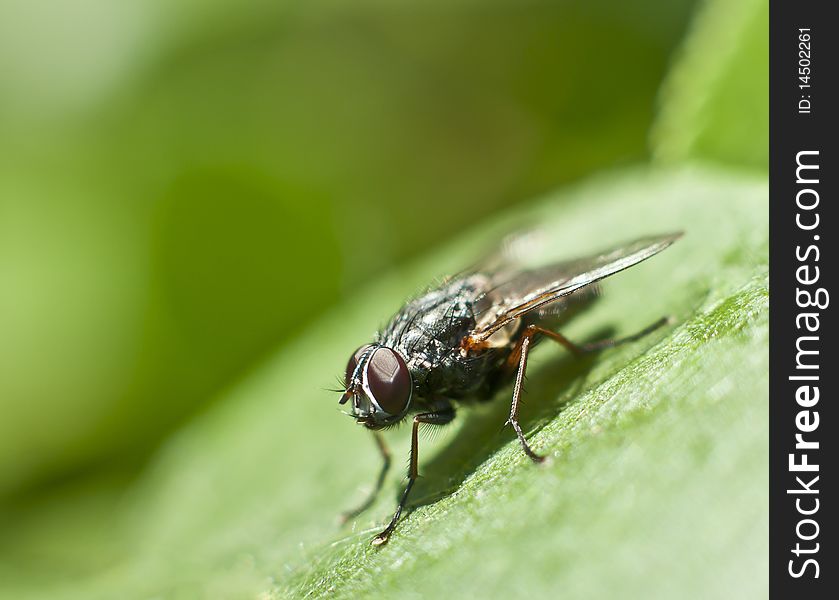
715, 101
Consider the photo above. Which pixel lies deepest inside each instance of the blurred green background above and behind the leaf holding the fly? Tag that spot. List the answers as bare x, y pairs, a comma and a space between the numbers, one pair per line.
185, 186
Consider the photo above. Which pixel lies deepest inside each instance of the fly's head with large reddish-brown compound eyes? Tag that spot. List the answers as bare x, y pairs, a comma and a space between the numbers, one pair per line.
379, 385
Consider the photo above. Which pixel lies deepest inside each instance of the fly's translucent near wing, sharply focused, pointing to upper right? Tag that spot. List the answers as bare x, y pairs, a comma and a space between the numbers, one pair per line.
517, 294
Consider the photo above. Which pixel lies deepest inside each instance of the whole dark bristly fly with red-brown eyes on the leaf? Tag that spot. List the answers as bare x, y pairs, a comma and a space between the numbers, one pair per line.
464, 339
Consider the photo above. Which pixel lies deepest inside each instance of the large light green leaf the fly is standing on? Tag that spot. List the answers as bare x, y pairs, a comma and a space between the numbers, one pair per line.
657, 484
